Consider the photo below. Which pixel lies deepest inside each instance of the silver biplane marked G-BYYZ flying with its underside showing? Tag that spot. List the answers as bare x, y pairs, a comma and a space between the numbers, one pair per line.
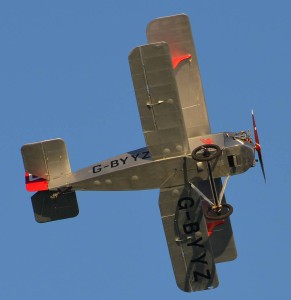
182, 158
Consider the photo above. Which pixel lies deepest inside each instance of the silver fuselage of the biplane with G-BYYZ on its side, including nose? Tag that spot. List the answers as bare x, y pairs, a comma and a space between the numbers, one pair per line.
136, 170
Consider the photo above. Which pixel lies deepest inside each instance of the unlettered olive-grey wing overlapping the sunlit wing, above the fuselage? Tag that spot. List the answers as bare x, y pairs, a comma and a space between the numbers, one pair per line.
158, 101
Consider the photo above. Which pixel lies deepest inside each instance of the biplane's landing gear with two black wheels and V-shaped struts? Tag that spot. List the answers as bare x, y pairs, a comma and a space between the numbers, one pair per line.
216, 210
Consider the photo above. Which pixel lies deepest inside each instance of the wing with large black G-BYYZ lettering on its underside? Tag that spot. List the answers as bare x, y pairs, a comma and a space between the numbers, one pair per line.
187, 238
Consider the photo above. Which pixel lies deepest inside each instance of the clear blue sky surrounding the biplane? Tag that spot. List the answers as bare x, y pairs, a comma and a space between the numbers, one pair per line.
64, 73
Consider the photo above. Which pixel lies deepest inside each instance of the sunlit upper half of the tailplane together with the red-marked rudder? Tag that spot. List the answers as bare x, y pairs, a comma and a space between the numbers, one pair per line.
43, 162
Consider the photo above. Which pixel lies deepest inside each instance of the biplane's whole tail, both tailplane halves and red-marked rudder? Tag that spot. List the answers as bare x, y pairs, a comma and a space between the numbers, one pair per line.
43, 162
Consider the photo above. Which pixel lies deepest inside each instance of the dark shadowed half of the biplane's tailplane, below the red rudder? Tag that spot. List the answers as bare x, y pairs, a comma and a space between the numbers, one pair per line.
52, 206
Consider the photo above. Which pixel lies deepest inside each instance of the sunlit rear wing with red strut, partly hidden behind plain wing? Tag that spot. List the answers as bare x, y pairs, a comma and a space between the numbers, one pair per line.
176, 32
